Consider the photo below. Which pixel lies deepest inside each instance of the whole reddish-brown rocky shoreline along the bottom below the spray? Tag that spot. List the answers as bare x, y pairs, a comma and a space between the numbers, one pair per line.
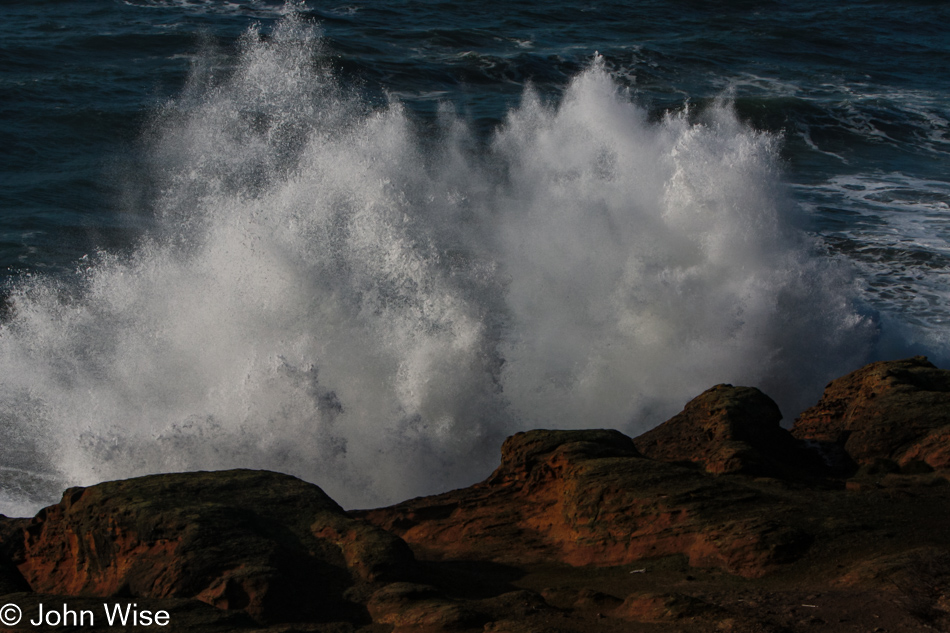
717, 520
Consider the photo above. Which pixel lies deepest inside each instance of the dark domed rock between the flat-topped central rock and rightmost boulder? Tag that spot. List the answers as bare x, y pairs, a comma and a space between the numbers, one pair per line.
730, 429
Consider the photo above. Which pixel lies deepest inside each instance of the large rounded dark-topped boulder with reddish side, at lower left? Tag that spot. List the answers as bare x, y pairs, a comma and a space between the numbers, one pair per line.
264, 543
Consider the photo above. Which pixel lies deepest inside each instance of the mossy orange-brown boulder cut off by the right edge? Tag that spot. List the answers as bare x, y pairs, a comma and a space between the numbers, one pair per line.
894, 410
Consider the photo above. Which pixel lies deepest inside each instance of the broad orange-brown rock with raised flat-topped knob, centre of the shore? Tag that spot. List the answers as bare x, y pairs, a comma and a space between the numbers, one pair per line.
589, 498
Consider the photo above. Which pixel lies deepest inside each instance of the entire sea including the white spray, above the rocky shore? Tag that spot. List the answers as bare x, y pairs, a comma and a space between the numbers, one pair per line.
362, 242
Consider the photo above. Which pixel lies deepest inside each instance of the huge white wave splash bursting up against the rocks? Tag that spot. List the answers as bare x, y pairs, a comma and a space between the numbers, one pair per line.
342, 293
